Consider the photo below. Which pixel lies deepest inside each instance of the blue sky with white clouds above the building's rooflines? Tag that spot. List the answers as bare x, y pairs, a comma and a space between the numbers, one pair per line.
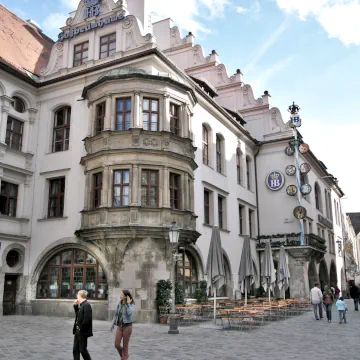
307, 51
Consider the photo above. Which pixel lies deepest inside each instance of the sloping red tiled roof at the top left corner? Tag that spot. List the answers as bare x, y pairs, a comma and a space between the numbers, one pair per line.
21, 44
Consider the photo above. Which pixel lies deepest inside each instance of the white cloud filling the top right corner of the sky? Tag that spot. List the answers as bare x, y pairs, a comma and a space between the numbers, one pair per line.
339, 18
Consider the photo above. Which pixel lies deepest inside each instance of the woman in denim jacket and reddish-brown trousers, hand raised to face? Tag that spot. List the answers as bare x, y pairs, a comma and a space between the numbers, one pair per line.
123, 320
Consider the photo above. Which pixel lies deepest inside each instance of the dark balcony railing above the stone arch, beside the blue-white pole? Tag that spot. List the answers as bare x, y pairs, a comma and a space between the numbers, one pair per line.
291, 240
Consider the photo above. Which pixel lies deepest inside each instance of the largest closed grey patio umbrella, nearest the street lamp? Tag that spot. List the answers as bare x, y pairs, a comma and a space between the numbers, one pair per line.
215, 265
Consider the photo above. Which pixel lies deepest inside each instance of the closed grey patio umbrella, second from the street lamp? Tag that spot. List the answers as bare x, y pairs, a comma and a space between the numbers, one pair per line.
246, 268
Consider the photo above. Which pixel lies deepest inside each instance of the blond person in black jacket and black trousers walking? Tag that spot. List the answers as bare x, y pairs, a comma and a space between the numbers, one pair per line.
82, 327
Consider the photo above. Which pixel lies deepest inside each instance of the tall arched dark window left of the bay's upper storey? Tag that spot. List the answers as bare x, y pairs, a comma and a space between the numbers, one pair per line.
61, 129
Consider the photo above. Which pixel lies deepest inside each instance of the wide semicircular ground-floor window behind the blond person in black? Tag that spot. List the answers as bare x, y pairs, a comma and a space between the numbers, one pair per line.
70, 271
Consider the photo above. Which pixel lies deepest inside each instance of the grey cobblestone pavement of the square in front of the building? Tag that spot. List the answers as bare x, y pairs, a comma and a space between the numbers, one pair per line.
300, 337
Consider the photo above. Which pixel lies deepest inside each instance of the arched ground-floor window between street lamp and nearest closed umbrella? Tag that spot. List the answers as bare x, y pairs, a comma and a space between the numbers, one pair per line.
187, 274
